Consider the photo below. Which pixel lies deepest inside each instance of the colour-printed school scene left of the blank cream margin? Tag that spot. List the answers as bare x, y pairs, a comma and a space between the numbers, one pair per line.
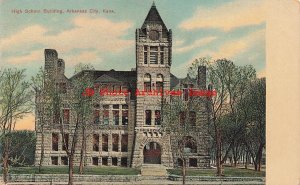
137, 91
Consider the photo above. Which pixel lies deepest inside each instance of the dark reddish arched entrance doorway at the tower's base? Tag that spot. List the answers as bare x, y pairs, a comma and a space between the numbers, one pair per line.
152, 153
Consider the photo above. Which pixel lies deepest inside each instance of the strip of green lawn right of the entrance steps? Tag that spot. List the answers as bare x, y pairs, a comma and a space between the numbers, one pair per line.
228, 172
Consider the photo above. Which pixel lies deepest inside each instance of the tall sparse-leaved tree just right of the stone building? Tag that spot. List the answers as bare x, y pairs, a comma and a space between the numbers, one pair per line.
230, 82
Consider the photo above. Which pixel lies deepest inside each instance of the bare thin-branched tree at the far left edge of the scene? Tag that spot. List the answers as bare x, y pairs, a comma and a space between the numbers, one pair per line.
15, 102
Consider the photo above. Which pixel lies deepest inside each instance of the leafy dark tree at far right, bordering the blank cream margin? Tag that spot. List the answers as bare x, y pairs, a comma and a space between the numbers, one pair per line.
254, 111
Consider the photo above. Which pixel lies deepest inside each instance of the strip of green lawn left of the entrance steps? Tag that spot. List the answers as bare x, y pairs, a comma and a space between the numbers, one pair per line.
87, 170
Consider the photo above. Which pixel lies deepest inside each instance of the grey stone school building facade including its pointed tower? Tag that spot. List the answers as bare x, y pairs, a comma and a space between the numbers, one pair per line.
126, 130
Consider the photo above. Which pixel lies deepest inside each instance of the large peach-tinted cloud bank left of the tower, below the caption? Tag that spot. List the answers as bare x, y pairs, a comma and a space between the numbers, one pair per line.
99, 34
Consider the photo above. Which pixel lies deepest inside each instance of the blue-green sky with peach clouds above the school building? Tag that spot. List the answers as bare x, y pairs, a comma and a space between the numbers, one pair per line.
215, 28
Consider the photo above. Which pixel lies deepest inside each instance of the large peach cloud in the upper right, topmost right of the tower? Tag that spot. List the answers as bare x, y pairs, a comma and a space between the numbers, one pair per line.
231, 15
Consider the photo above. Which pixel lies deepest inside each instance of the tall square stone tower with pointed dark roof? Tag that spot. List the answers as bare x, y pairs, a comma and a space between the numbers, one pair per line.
153, 62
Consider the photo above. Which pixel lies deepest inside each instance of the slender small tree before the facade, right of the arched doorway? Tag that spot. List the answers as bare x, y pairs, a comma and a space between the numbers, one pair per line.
179, 121
